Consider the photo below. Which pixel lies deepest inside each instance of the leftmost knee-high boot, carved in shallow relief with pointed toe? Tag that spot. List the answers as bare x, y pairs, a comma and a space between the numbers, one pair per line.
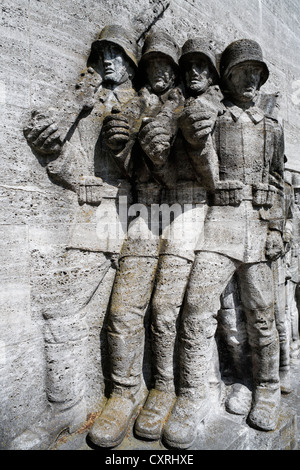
65, 355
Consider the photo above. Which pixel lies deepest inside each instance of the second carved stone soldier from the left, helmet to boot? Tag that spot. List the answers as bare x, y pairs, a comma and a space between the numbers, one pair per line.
138, 258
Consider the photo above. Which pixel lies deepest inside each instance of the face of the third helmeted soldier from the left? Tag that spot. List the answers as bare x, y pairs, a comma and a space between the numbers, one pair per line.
197, 76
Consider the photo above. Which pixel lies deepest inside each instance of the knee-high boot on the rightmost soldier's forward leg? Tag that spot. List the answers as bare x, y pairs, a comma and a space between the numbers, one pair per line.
192, 405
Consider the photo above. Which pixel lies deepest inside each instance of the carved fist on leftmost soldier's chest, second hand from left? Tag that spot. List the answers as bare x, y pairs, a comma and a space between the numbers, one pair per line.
116, 131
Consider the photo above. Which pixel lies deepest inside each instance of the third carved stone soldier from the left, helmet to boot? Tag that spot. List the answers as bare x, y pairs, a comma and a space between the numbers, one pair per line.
179, 238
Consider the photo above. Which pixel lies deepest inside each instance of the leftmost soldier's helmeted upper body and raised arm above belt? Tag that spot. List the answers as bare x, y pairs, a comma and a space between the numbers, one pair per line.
114, 55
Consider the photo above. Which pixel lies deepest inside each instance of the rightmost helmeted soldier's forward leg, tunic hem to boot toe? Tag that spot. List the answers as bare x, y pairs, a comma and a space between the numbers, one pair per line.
210, 274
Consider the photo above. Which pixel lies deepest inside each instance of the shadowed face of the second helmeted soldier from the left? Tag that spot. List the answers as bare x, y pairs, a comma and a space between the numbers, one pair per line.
160, 74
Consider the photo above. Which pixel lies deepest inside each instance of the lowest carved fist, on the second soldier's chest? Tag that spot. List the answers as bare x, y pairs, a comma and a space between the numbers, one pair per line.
155, 139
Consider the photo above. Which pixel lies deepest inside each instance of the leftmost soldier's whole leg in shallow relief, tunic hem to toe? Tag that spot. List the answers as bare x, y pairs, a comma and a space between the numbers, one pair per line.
66, 306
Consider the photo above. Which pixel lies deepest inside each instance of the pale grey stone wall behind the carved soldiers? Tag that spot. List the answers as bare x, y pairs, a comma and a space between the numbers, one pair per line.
44, 44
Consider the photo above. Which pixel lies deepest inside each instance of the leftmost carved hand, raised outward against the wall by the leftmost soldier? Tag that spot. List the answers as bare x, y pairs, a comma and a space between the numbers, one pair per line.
42, 133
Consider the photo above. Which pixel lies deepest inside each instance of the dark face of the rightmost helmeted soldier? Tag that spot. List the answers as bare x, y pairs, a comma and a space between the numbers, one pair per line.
244, 81
